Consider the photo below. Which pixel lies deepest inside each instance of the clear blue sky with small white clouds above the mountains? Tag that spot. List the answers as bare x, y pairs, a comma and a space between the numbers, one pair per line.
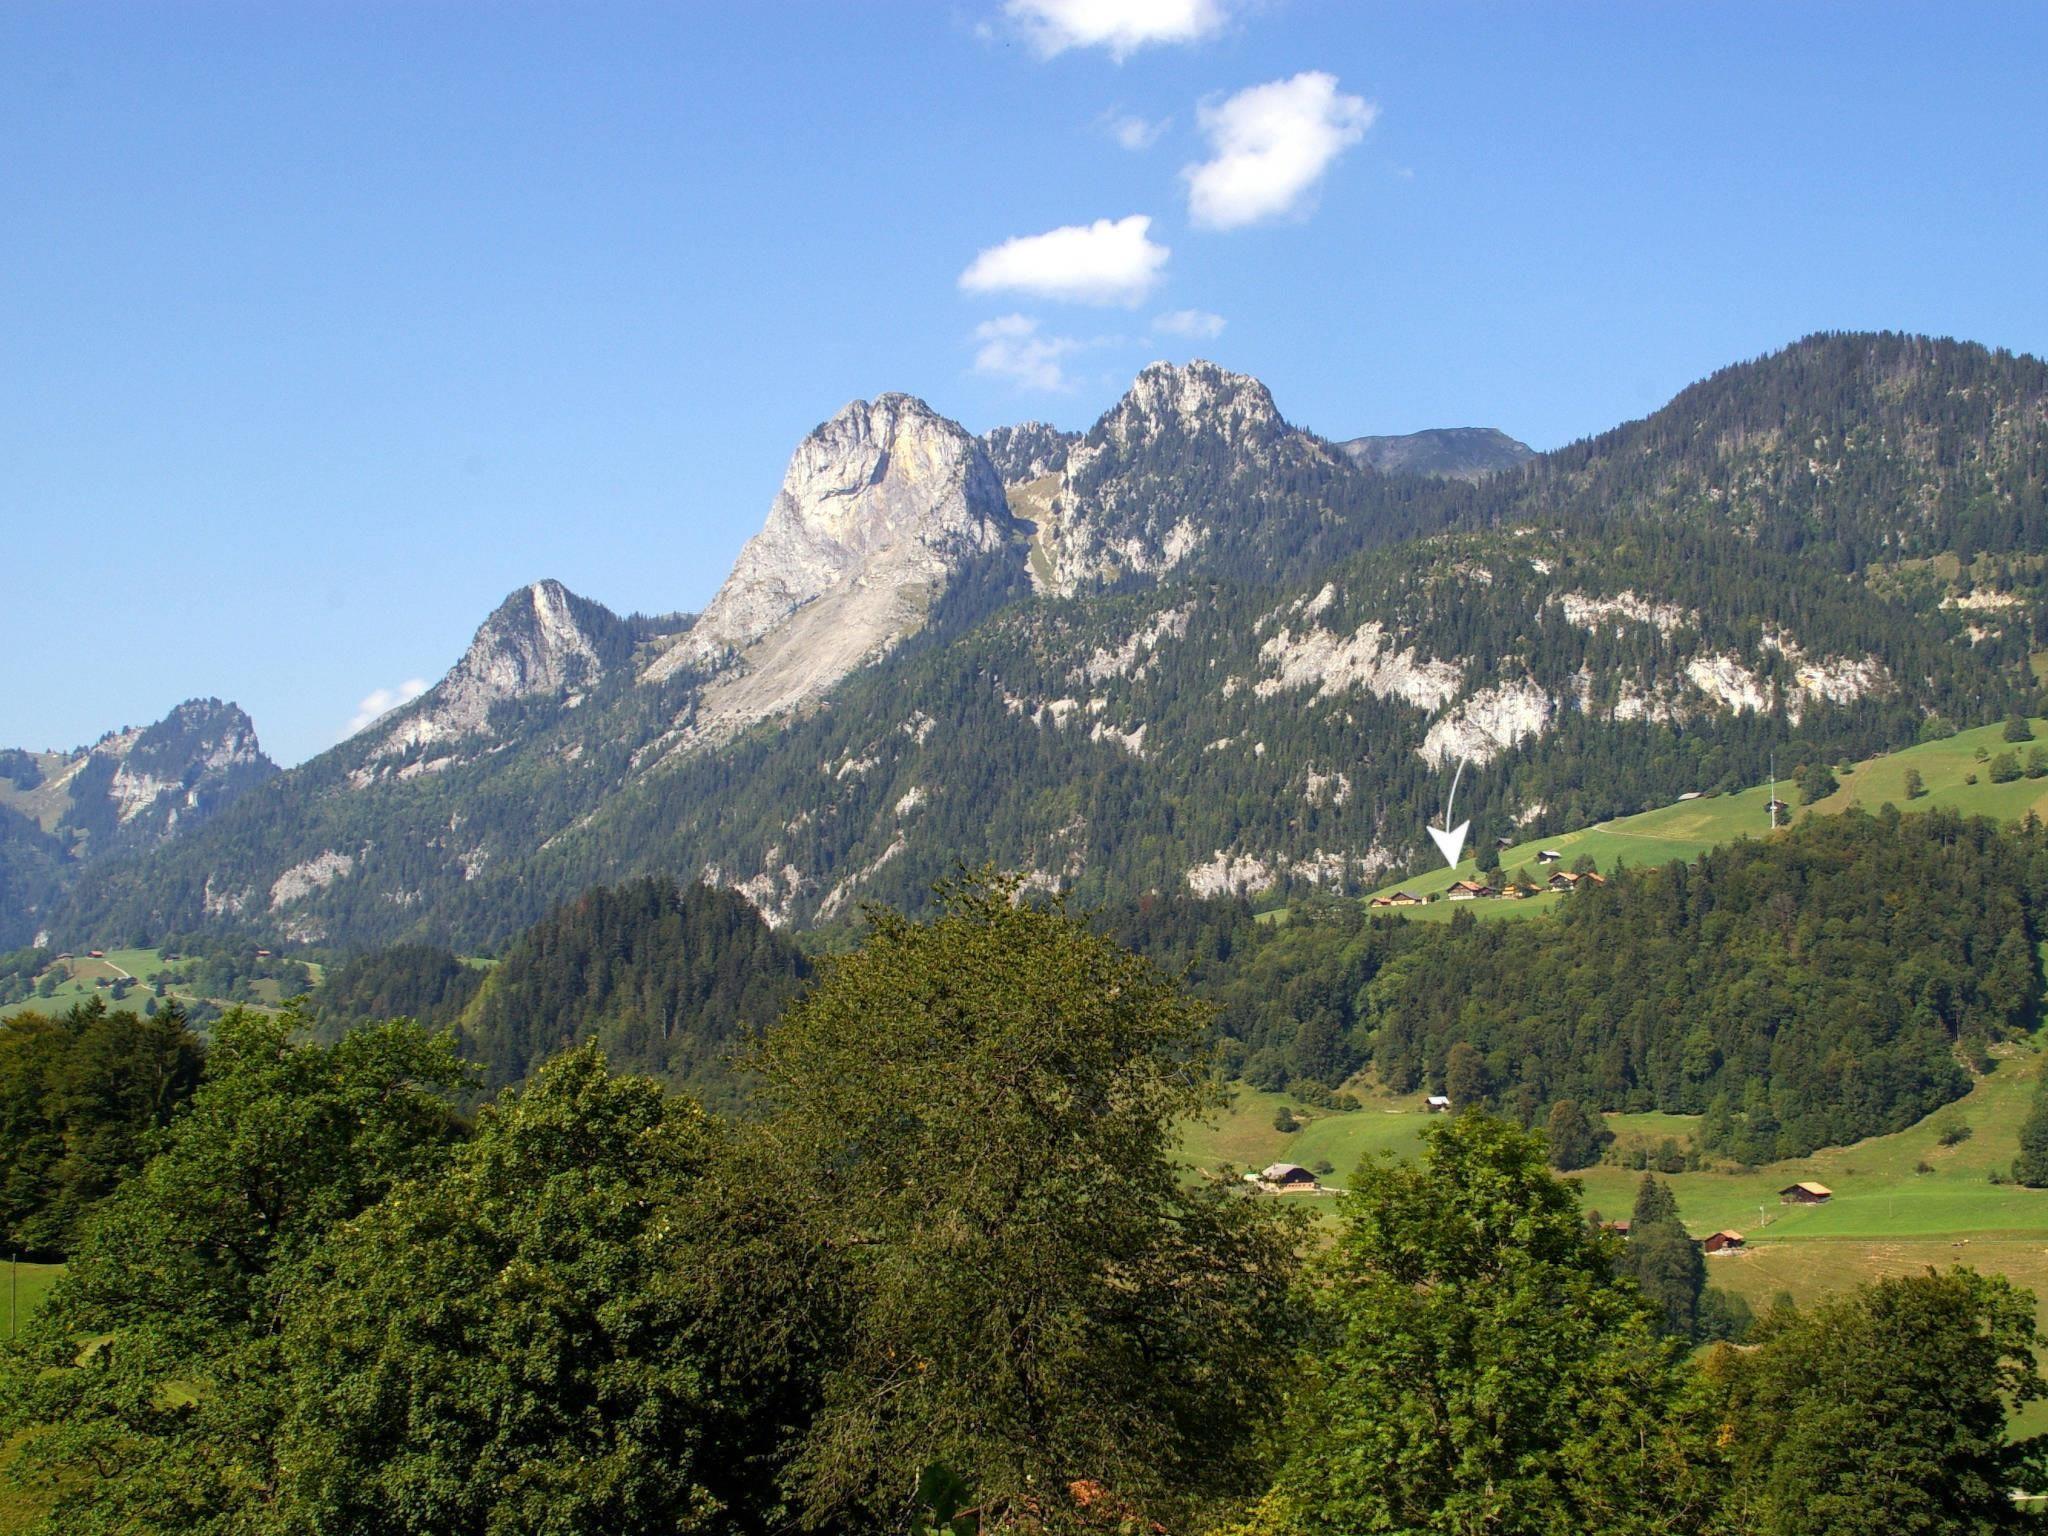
323, 327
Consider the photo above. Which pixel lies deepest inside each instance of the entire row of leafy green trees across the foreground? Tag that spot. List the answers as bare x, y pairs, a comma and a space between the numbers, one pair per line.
949, 1277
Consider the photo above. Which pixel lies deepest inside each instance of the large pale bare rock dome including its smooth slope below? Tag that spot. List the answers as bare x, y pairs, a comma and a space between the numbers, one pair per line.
880, 511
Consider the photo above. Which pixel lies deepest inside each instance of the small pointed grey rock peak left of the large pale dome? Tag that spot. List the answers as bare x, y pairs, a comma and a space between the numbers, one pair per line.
544, 640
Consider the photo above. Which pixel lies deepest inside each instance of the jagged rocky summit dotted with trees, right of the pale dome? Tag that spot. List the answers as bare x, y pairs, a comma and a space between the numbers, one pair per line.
1164, 472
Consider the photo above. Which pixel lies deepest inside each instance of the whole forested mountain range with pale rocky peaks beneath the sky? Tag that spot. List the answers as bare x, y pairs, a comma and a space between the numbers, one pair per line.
1195, 648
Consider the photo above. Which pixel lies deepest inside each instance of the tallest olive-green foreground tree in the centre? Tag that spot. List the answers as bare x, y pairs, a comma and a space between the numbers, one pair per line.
978, 1115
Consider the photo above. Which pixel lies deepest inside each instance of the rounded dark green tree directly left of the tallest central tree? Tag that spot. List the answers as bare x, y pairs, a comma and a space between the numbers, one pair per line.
556, 1334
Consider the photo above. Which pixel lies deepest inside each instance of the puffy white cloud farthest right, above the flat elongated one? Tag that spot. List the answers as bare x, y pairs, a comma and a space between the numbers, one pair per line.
1271, 148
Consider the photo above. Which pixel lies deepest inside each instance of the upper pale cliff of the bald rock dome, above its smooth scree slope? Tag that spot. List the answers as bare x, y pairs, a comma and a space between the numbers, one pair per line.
886, 497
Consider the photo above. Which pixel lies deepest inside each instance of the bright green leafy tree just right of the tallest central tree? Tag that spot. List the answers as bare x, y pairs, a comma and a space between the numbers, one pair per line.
1486, 1369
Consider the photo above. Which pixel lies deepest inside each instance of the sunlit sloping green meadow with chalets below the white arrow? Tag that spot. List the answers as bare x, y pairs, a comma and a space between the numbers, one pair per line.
1691, 828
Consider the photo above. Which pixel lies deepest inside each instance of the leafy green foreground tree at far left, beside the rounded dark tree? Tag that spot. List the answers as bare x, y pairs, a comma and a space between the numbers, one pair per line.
167, 1420
